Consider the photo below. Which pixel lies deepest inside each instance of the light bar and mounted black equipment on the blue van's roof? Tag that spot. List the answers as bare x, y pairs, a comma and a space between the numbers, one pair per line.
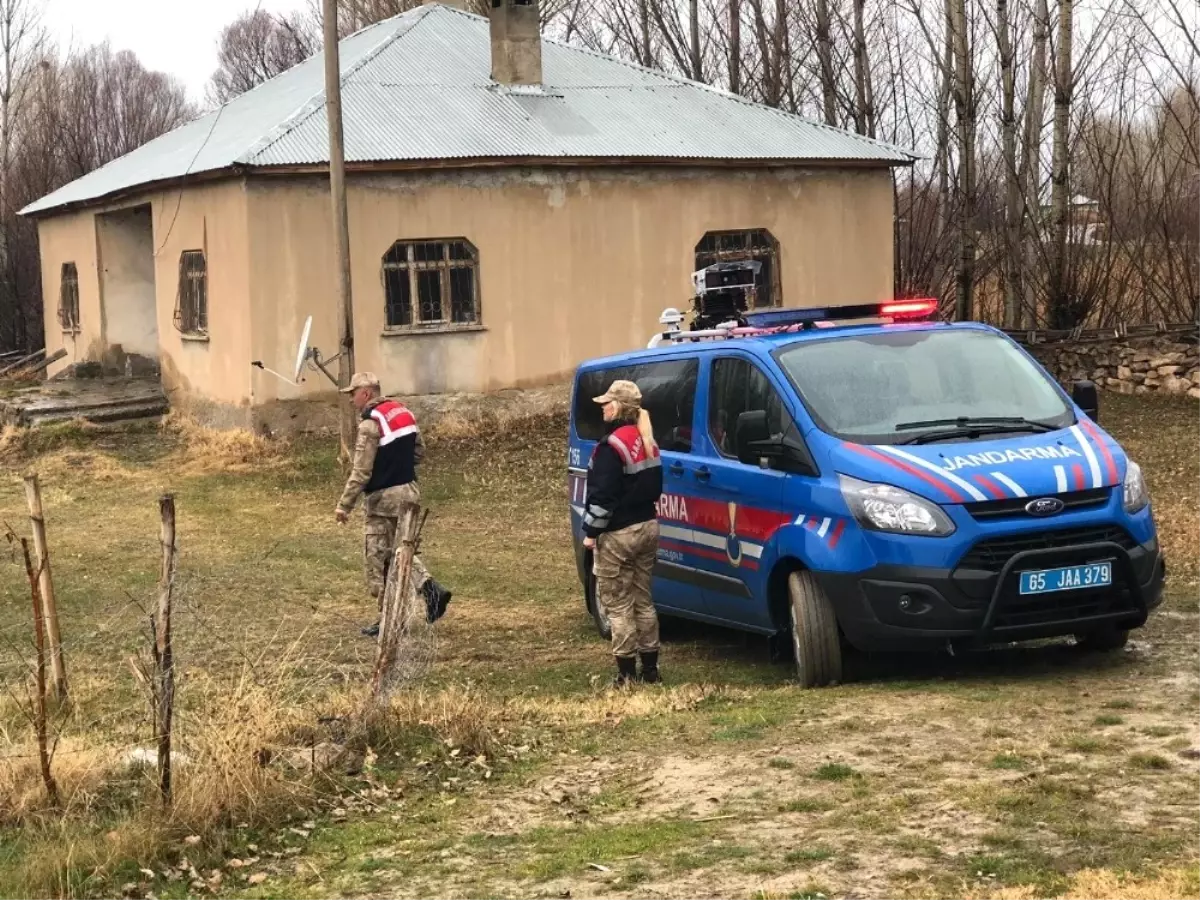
779, 322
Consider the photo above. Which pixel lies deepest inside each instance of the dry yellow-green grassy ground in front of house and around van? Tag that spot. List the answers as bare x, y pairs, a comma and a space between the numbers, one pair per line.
513, 771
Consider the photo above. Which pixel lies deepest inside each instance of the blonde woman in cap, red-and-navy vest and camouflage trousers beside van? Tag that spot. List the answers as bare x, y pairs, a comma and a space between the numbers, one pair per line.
621, 526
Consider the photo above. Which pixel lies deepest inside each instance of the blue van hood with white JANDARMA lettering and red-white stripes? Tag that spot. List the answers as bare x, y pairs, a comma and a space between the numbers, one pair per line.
1077, 459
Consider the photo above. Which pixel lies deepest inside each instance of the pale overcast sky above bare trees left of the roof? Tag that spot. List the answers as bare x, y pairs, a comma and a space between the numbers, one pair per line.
167, 35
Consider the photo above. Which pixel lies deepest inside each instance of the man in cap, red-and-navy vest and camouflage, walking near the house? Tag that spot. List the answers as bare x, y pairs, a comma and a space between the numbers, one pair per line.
387, 453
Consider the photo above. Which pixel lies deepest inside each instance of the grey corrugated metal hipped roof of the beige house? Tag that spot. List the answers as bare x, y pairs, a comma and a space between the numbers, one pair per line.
418, 88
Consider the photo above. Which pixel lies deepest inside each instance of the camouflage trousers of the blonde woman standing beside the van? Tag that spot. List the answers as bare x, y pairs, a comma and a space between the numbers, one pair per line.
625, 563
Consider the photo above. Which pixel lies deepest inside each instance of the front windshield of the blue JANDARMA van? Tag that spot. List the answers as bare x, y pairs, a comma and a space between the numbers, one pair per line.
915, 386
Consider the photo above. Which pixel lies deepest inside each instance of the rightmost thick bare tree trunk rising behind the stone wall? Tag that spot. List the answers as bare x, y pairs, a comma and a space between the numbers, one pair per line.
1061, 314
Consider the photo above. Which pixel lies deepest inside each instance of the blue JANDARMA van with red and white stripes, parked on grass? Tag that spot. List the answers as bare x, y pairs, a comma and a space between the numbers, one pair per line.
868, 477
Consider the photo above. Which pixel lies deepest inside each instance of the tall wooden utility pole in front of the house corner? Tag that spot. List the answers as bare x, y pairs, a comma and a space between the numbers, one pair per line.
341, 220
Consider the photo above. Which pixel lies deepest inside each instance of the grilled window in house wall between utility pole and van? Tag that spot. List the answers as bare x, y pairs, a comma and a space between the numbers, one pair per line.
431, 283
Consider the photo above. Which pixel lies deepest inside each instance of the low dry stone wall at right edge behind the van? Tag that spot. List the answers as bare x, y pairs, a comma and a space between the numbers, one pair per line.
1144, 365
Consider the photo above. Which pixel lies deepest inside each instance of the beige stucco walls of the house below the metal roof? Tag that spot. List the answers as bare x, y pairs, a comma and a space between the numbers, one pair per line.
573, 263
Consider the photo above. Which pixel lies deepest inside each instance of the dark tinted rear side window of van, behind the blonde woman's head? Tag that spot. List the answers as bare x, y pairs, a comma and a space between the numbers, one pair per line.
669, 395
